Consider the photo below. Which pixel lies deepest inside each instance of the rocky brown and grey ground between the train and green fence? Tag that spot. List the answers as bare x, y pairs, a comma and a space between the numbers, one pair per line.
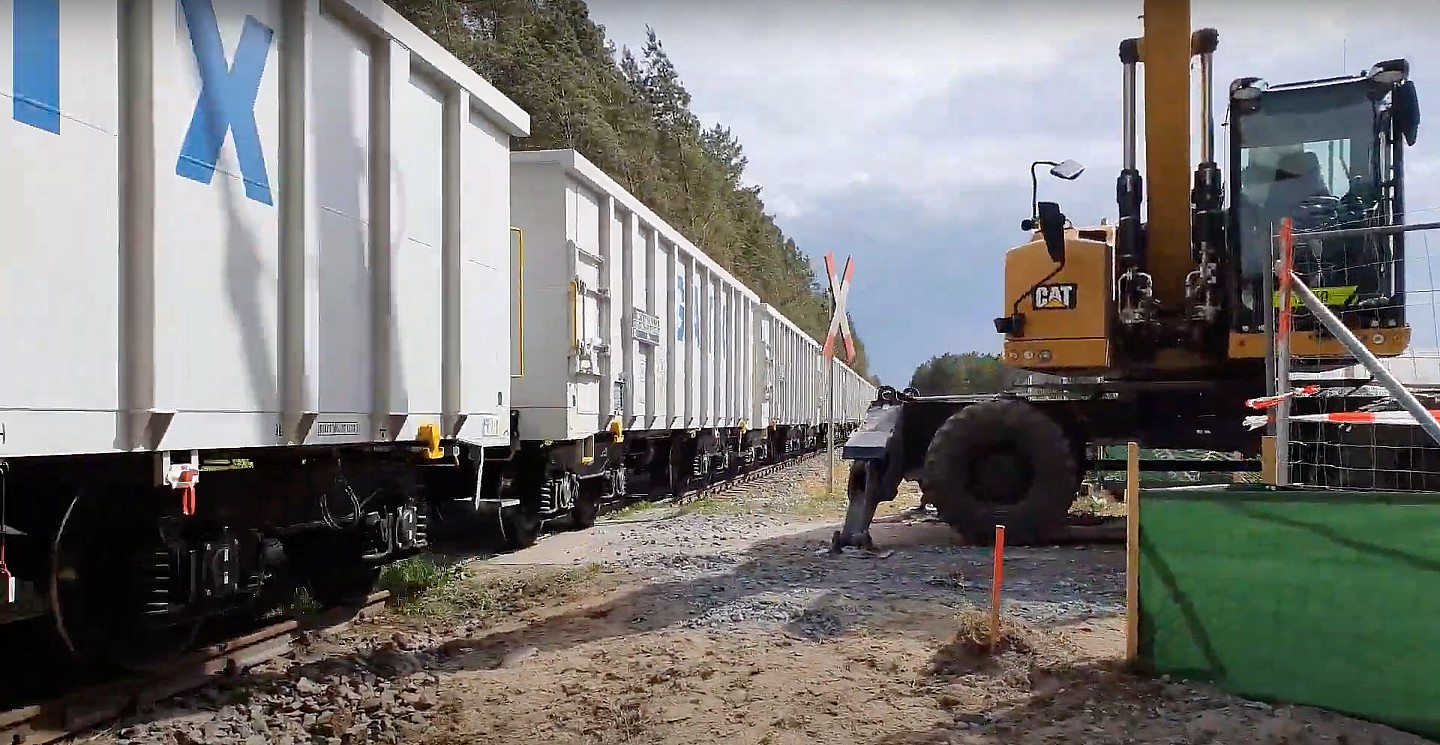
726, 622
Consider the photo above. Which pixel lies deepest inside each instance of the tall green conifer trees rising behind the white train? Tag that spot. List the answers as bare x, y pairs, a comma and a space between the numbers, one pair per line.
630, 115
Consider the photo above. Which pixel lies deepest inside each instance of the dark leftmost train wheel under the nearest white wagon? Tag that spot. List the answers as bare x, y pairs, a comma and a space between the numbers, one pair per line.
112, 574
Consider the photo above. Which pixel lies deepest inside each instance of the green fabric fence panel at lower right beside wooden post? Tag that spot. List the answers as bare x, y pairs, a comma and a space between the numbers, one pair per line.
1311, 597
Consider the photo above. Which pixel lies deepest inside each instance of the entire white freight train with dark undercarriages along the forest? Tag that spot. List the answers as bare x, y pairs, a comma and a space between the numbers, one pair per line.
277, 295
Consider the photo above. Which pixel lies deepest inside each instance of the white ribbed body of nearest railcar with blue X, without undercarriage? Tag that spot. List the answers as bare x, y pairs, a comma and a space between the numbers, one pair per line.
246, 224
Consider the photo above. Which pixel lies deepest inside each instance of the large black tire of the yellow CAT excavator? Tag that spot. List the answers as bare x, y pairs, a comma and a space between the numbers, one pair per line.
1002, 462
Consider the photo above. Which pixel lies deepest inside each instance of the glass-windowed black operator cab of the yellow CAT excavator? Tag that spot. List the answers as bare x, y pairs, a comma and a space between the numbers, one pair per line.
1328, 155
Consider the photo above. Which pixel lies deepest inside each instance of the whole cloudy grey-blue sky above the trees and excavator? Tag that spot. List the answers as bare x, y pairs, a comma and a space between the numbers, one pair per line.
901, 132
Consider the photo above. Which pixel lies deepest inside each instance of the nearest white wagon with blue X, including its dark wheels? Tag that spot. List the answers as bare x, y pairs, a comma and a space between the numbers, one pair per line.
257, 273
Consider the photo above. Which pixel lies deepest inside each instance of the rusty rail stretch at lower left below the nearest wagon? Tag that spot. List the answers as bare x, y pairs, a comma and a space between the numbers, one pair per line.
89, 708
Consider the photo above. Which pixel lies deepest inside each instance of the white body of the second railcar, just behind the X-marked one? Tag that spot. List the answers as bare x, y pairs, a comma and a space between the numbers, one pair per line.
626, 321
